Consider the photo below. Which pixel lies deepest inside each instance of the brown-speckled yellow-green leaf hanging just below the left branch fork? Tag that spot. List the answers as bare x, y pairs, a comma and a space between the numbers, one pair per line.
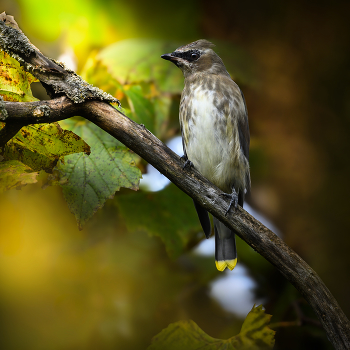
41, 145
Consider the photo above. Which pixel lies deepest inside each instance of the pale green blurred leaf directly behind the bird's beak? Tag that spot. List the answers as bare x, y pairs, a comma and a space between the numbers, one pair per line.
134, 61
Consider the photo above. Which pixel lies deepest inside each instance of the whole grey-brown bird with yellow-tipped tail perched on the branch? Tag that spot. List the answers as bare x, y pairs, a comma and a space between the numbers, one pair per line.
215, 135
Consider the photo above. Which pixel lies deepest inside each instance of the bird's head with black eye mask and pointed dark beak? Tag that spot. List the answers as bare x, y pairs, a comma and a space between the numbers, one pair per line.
197, 57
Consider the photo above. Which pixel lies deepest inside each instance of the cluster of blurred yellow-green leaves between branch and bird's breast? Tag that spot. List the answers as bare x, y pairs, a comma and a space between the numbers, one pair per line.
132, 71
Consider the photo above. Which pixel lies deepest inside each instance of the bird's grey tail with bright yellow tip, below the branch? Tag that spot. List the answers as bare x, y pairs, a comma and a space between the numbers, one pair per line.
225, 246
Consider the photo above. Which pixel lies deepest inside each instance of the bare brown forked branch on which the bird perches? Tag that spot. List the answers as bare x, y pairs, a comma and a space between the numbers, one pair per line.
144, 143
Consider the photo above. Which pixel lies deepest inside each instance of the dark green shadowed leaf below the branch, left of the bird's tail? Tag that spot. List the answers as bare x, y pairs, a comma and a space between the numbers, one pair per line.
168, 214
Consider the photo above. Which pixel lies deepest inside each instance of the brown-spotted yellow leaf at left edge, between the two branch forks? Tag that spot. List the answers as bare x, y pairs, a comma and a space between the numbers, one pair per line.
14, 81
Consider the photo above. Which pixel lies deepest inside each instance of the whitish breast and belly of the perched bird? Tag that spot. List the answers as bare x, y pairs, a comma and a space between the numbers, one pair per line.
213, 143
